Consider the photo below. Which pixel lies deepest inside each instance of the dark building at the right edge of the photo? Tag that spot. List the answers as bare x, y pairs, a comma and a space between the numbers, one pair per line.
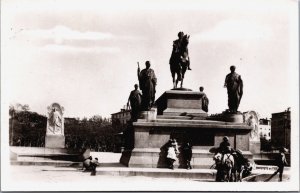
281, 129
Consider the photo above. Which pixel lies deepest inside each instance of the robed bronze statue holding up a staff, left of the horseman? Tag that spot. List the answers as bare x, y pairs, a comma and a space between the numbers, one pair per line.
147, 81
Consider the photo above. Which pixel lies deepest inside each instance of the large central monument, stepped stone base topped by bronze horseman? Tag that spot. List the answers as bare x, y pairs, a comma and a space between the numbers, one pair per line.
181, 114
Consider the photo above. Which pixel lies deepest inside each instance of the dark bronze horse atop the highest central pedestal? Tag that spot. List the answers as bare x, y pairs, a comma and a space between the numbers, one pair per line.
179, 61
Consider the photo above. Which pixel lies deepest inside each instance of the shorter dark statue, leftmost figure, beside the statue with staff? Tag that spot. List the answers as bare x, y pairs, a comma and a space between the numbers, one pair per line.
135, 99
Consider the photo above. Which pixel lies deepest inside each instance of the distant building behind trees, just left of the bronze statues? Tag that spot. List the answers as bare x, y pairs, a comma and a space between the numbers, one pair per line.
120, 118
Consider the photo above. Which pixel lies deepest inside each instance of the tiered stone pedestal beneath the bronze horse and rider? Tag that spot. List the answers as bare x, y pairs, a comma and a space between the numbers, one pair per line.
178, 118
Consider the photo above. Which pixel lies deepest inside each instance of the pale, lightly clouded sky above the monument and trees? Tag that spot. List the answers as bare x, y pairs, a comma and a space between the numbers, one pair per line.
84, 54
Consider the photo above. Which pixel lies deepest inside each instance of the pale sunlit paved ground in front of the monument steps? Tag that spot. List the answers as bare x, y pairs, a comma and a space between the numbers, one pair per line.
32, 177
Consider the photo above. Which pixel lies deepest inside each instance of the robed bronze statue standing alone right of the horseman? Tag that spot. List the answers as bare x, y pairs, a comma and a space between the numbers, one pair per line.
234, 84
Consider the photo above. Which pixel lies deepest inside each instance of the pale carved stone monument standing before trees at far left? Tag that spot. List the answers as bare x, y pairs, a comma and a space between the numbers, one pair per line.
55, 127
